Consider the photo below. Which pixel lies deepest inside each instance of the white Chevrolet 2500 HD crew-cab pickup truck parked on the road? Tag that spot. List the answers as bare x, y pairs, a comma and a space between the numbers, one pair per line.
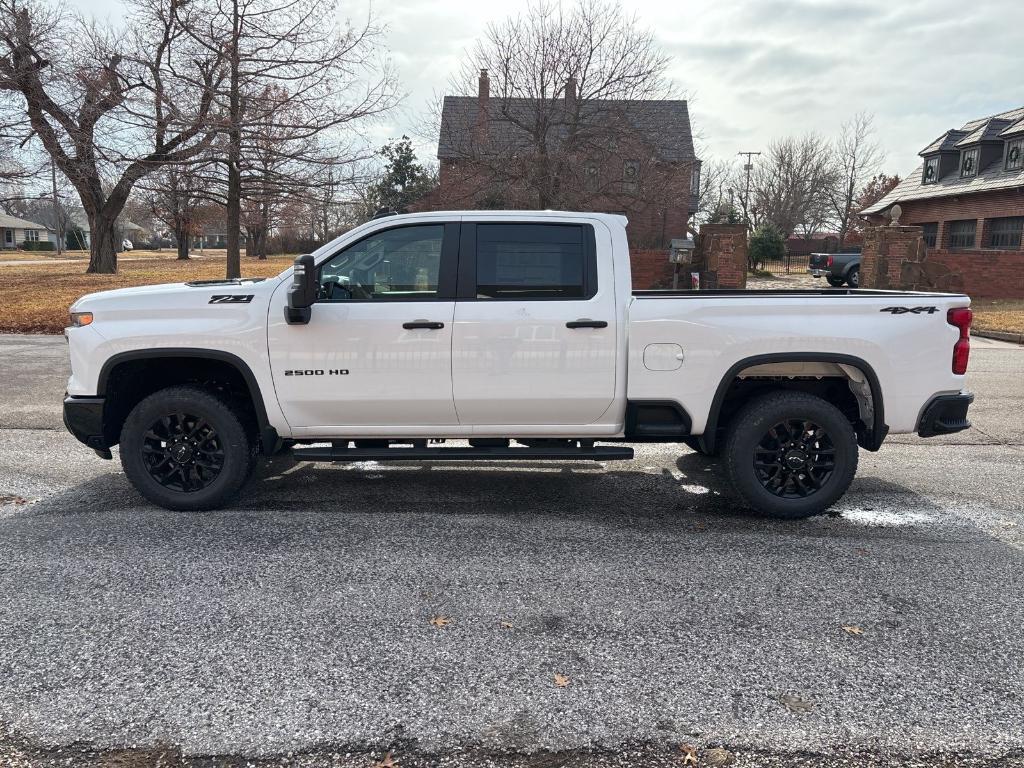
518, 335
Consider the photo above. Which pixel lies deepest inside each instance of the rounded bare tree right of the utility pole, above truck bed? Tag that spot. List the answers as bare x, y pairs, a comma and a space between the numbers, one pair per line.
791, 186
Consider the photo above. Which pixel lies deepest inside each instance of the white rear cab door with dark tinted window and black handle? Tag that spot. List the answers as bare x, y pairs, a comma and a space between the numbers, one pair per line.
535, 334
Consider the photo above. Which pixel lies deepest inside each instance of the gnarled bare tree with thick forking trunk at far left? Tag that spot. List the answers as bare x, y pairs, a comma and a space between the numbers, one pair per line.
109, 109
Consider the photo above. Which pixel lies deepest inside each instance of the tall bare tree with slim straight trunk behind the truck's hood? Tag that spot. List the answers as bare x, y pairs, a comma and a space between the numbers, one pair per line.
326, 77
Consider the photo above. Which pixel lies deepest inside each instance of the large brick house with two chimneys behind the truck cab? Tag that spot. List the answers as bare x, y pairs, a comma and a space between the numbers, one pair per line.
629, 157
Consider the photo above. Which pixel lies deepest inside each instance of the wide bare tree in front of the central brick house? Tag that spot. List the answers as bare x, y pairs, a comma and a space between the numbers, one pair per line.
561, 90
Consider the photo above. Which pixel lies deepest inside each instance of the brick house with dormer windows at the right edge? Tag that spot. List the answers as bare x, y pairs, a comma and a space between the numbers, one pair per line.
968, 196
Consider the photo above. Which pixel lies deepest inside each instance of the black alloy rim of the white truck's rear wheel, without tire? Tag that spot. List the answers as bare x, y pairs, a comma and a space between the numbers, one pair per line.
795, 459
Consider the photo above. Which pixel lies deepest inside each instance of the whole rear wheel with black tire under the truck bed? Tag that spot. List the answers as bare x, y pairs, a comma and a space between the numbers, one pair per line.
781, 470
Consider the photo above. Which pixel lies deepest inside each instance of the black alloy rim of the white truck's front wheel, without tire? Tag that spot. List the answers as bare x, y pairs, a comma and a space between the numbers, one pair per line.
183, 452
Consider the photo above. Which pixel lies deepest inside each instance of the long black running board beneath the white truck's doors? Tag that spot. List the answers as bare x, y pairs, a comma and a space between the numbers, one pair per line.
554, 453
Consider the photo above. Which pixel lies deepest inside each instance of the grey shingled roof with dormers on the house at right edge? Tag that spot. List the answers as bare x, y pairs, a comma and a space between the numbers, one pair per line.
993, 179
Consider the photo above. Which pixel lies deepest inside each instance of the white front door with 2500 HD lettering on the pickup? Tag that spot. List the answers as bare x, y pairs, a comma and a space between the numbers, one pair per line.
377, 352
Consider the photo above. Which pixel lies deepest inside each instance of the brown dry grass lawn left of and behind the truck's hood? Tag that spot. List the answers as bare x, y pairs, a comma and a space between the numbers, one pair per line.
35, 297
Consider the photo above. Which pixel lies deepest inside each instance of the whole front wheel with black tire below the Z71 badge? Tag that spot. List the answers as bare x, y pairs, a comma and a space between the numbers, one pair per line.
187, 449
